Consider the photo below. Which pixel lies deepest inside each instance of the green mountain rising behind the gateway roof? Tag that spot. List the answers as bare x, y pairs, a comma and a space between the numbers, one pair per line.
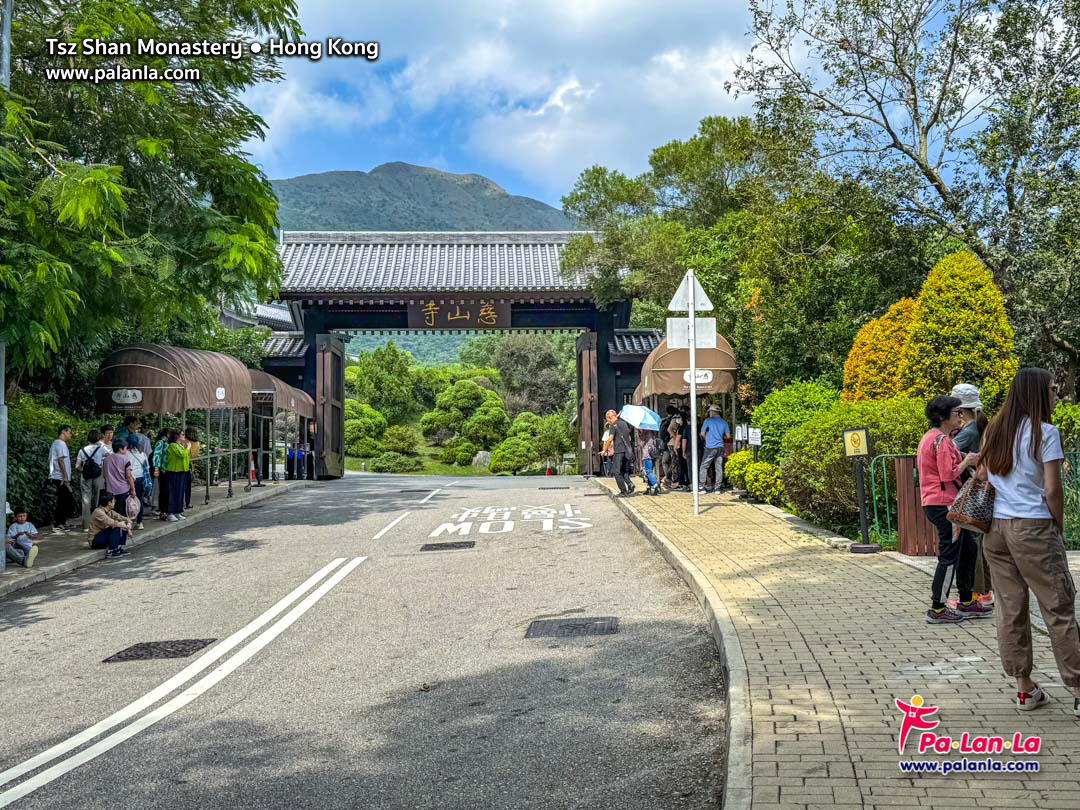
400, 197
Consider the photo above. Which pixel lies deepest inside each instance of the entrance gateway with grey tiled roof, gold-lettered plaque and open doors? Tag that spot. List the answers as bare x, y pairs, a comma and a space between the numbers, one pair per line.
342, 282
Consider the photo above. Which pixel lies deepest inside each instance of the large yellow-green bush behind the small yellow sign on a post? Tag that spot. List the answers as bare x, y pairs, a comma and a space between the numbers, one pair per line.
817, 477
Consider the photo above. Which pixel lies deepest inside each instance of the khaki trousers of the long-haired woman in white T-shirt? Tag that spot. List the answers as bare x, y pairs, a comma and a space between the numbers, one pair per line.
1031, 553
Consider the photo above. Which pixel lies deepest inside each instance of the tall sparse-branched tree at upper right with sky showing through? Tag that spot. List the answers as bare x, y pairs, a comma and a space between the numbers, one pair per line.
954, 111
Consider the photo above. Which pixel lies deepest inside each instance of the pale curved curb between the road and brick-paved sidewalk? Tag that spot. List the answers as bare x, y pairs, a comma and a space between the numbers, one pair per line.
739, 772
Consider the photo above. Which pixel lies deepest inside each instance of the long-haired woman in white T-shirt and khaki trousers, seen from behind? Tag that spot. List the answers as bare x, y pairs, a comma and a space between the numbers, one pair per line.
1022, 456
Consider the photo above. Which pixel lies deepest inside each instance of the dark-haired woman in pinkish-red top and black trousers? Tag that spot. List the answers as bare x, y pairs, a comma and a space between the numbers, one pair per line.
940, 466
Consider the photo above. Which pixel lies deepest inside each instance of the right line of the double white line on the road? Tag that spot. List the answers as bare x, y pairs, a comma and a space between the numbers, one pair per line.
184, 698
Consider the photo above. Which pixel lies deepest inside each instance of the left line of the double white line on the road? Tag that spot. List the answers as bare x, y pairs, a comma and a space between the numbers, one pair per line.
174, 683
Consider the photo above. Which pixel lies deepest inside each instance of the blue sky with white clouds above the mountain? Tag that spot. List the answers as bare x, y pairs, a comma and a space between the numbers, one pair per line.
528, 93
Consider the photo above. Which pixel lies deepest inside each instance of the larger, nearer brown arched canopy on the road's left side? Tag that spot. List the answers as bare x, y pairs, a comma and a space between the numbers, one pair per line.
148, 379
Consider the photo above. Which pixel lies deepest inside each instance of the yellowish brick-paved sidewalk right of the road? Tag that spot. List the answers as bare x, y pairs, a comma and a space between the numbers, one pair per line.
830, 640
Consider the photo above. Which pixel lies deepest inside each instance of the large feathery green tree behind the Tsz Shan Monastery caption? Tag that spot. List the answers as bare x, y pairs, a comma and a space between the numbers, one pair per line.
132, 192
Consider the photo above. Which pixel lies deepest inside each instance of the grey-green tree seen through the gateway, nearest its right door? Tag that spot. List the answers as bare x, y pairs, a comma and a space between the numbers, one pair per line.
530, 370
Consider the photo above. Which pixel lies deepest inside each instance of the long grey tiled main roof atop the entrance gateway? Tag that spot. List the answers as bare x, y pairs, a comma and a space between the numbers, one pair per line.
380, 263
